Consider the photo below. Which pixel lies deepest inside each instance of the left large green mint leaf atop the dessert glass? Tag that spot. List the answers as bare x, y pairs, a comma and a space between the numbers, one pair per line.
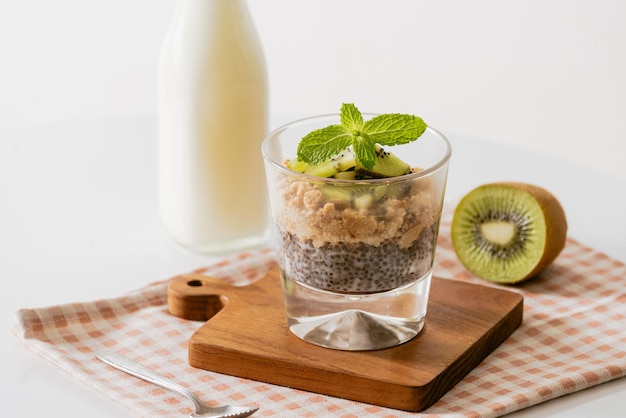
322, 144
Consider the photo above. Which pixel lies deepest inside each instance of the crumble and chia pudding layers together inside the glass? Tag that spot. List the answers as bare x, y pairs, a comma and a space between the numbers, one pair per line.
356, 237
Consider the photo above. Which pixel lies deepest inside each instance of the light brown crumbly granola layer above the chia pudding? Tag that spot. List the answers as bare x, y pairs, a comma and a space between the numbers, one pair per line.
372, 215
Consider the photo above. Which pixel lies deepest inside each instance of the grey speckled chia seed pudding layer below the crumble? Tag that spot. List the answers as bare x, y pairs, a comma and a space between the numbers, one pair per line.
356, 267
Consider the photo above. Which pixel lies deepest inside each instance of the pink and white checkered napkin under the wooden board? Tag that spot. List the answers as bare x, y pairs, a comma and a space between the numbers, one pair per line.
573, 337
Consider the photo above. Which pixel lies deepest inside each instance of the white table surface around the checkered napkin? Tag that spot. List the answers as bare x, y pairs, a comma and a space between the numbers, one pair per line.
78, 221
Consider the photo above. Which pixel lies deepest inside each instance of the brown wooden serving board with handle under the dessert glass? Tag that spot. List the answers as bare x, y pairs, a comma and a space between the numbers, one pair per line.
246, 335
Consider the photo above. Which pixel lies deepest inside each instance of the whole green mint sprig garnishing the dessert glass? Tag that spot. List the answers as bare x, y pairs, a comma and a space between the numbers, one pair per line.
387, 129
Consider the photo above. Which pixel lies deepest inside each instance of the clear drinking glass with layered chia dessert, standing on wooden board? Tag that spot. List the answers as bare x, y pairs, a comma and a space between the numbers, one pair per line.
356, 256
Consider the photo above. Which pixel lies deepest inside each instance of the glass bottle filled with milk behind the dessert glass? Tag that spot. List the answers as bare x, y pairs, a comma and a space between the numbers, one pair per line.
213, 111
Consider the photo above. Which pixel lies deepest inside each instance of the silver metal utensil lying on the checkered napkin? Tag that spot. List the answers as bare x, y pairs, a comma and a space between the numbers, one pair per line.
202, 410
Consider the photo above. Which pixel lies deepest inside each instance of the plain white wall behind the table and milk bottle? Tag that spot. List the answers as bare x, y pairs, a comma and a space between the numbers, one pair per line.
544, 75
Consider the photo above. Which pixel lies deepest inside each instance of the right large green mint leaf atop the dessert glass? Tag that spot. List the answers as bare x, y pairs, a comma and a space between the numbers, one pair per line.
394, 128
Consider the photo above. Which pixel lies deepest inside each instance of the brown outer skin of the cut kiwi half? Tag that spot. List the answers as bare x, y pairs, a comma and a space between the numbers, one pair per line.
555, 229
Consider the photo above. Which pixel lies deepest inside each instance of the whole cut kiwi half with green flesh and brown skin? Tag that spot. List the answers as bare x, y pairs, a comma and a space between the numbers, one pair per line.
508, 232
